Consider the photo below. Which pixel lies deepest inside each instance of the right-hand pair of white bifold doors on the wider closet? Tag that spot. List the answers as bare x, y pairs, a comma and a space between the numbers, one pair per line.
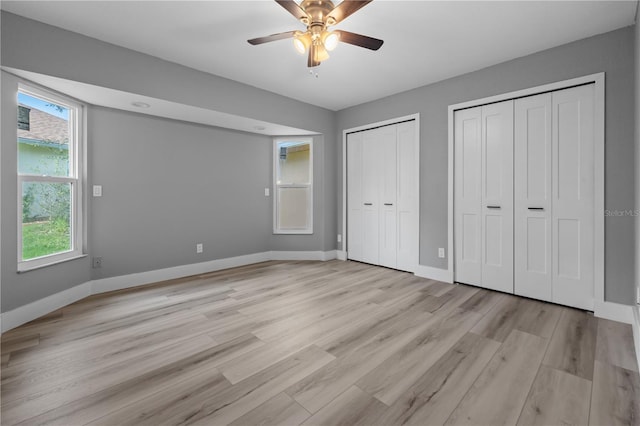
554, 190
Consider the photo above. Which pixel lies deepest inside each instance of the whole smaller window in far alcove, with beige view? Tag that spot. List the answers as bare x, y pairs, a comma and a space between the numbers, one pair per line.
293, 200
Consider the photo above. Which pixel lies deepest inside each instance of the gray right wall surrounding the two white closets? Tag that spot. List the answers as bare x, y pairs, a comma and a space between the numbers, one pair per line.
612, 53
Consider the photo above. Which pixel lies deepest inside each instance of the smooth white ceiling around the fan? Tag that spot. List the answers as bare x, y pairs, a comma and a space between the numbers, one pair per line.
425, 41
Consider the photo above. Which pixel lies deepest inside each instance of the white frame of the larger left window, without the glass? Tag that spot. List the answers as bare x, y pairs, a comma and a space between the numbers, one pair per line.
76, 177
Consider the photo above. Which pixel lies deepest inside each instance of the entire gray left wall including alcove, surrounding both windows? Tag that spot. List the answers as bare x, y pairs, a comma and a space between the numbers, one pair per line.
128, 154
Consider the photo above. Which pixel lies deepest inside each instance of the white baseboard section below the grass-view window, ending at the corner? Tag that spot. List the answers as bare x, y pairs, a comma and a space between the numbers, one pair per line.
33, 310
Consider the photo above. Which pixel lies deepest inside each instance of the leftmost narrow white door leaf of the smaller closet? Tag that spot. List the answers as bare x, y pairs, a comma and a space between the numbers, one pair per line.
354, 196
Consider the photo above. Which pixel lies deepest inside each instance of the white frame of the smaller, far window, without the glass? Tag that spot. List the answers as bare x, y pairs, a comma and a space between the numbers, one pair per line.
276, 186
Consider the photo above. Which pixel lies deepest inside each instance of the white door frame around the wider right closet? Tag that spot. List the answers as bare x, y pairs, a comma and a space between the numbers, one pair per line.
599, 139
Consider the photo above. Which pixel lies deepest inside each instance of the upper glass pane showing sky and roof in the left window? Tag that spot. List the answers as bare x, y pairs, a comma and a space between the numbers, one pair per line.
43, 137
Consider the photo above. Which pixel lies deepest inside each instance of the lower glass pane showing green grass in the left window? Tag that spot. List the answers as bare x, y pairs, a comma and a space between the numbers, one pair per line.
46, 219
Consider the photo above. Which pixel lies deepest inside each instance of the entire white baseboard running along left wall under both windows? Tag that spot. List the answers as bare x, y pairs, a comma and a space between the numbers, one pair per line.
33, 310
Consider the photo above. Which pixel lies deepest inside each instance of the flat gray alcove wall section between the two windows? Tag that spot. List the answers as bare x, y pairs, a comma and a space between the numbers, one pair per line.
168, 185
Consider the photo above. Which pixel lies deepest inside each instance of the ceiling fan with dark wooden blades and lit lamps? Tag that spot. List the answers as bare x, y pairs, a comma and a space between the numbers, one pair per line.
318, 16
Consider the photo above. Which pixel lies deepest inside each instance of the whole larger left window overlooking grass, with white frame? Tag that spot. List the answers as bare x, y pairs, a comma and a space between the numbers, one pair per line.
49, 178
